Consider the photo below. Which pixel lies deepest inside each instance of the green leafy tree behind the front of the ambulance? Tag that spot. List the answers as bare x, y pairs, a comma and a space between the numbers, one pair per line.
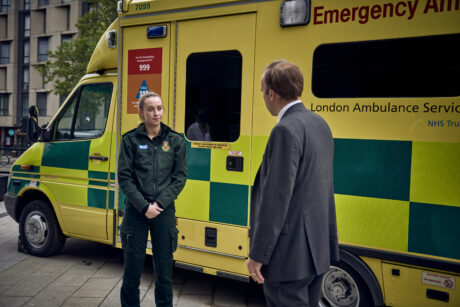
68, 63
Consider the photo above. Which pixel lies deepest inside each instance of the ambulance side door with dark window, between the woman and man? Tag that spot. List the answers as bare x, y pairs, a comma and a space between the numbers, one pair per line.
214, 196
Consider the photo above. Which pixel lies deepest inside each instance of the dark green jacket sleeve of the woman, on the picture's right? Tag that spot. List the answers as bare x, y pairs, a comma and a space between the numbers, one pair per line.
178, 176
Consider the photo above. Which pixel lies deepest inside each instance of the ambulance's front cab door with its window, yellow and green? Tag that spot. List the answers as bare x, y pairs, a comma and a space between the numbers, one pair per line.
76, 171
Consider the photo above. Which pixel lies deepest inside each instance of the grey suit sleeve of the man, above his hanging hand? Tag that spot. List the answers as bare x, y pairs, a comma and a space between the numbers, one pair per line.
276, 189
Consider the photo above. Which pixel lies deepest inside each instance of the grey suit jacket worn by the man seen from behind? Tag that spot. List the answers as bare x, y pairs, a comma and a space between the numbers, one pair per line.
293, 223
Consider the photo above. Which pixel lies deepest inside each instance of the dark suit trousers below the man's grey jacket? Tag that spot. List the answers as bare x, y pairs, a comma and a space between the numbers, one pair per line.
304, 292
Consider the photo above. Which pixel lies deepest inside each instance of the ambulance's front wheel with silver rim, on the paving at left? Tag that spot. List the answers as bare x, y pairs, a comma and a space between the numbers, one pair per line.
39, 230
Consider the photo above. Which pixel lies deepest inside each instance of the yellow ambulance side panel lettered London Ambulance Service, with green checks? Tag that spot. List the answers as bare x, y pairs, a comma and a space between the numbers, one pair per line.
396, 172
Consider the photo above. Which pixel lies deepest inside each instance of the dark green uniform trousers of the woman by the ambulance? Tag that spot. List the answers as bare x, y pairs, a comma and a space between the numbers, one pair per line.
134, 234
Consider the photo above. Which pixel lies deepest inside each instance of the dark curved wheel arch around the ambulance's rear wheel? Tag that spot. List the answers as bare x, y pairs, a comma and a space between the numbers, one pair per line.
366, 274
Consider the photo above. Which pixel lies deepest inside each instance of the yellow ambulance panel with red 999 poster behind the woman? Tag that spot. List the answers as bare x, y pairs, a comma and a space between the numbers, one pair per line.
145, 67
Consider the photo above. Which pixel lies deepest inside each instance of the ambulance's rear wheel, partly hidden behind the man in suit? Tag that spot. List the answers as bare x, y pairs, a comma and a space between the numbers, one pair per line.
343, 287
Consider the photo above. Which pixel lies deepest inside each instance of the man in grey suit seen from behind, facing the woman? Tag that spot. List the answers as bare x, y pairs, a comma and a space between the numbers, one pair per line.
293, 223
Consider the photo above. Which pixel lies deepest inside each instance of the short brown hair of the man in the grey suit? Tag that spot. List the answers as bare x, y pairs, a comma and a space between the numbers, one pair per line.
284, 78
